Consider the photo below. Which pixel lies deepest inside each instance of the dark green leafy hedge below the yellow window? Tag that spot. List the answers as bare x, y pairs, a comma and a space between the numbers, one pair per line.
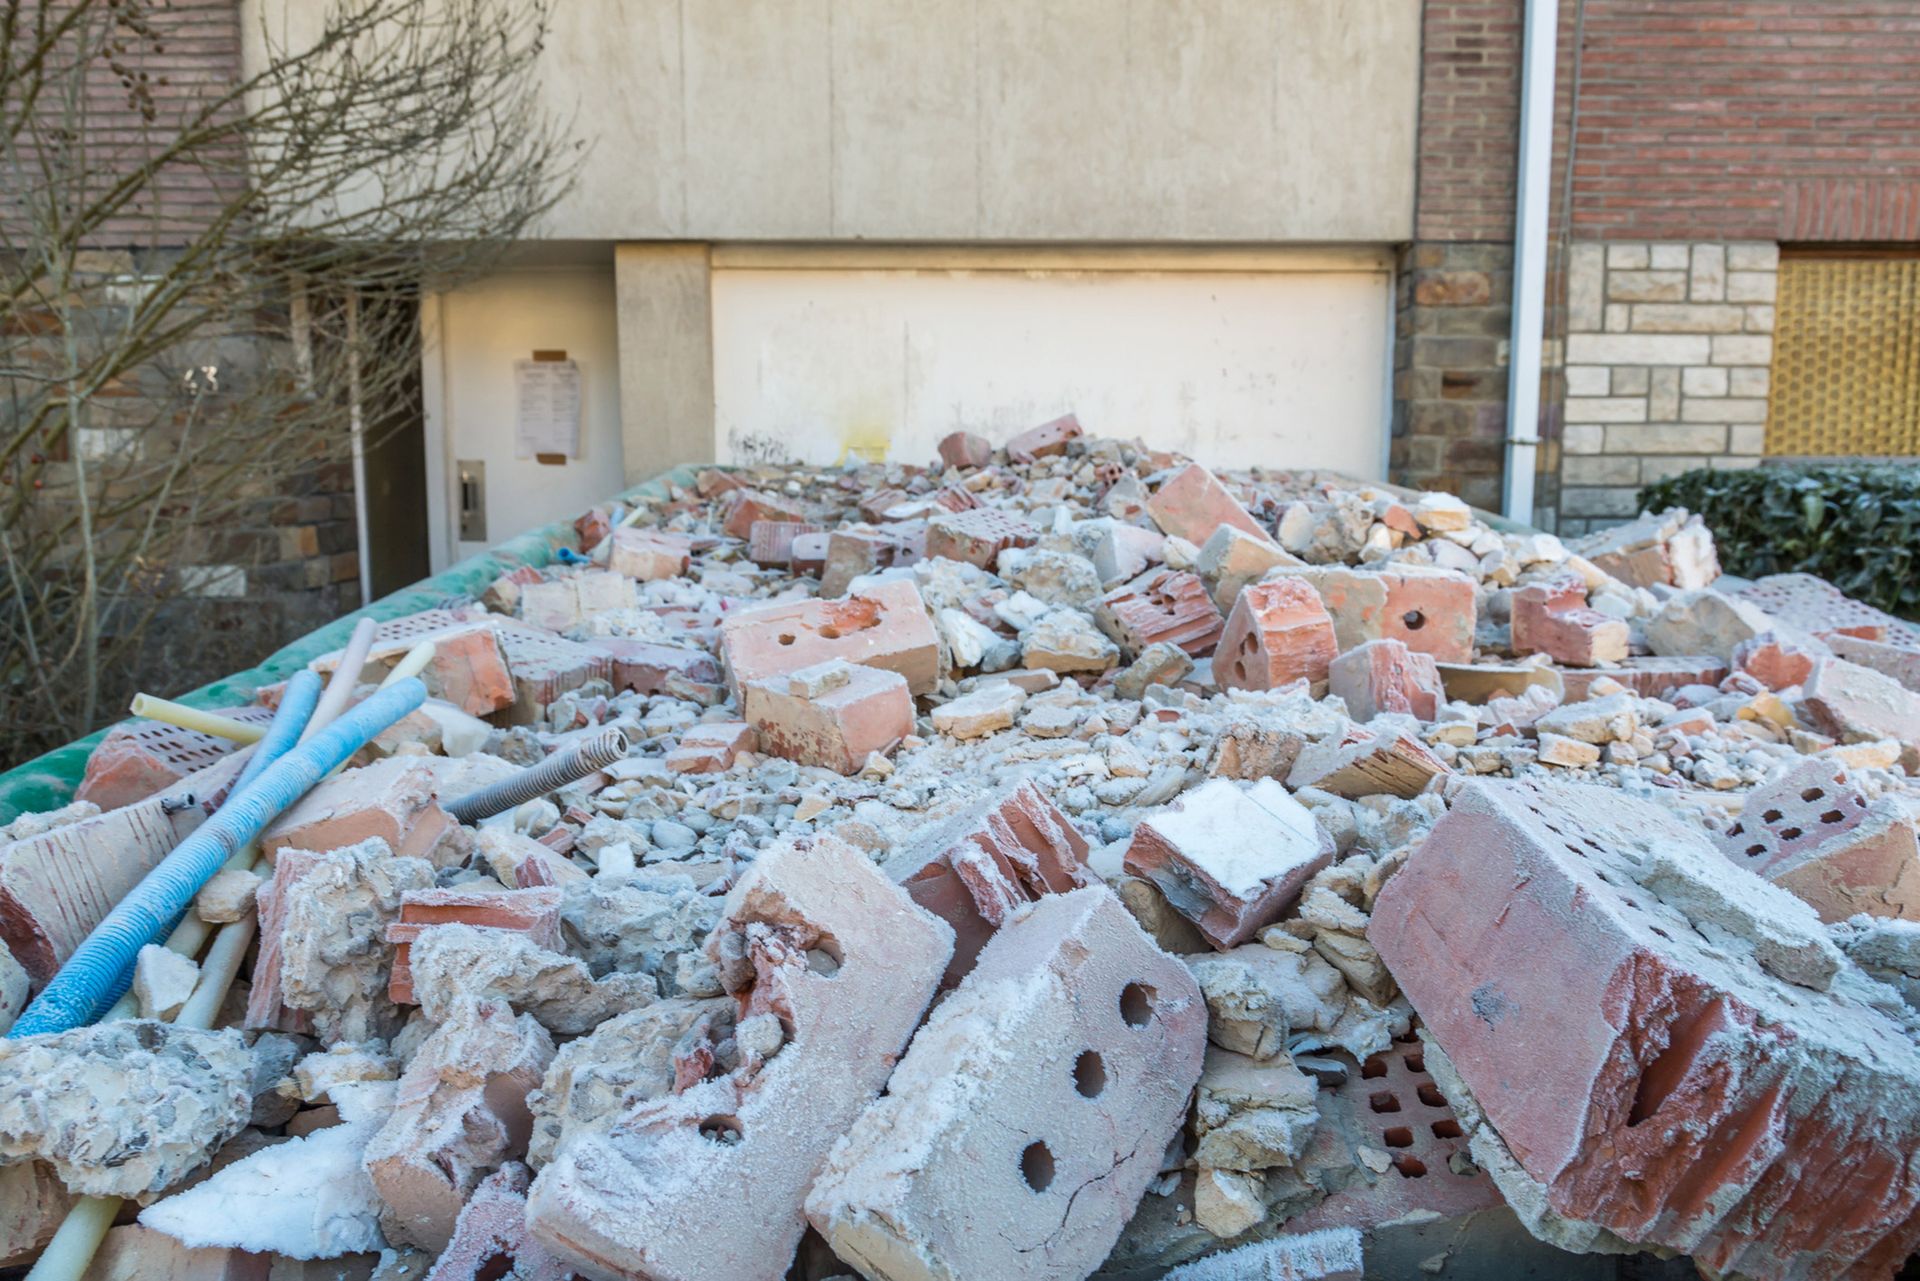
1856, 525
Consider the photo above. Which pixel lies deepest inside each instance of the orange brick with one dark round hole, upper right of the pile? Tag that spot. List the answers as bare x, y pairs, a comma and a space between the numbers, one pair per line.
1428, 610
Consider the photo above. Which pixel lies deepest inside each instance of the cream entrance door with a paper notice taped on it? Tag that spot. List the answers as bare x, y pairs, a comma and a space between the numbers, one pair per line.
481, 331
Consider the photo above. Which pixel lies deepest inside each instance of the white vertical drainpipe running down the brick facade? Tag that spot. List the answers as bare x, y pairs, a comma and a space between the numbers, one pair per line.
1531, 258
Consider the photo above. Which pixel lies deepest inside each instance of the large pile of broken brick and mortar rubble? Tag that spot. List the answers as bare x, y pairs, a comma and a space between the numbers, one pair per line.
1061, 861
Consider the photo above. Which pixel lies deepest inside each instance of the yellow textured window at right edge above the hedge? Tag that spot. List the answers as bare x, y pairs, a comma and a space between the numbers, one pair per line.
1846, 358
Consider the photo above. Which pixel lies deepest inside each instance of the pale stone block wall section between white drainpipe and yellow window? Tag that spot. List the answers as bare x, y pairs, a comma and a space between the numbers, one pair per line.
1668, 368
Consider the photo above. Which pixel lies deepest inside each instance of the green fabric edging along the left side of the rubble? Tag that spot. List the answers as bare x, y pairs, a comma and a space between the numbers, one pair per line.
47, 783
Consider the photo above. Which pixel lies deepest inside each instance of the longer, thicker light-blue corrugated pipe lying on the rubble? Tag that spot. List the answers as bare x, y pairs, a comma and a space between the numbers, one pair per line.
80, 994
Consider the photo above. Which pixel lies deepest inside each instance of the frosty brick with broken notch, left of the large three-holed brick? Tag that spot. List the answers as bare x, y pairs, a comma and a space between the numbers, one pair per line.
709, 1182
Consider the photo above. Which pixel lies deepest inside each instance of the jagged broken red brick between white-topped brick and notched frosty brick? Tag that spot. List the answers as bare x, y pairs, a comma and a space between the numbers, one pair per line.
984, 863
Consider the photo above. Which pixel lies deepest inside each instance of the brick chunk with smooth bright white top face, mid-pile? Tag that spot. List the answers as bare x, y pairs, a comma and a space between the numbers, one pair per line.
1230, 859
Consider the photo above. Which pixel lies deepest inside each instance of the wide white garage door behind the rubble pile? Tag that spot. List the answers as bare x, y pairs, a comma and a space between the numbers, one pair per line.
1282, 364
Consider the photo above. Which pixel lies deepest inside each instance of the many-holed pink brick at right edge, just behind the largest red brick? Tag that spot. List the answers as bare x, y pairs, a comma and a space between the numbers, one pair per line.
1813, 833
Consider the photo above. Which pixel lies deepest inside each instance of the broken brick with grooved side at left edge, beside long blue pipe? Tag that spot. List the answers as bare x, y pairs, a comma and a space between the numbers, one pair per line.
55, 888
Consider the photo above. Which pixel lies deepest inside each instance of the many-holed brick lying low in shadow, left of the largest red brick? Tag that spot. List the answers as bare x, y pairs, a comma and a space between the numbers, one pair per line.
1393, 1107
